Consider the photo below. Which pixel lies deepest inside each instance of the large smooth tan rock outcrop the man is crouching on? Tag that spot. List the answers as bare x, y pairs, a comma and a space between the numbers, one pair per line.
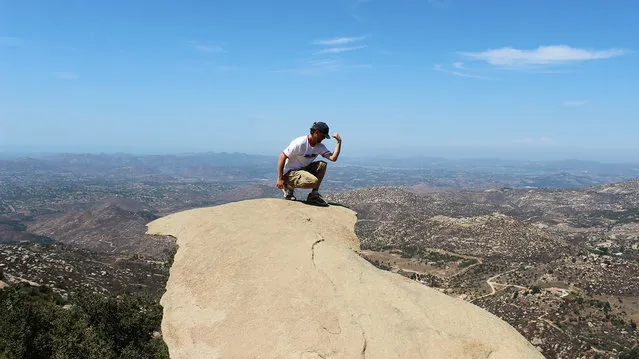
270, 278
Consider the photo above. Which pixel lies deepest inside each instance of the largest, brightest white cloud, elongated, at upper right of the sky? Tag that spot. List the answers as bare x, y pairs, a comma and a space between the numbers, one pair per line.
543, 55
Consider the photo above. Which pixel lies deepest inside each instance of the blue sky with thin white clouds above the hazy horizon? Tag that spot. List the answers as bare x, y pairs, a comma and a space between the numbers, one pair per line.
393, 77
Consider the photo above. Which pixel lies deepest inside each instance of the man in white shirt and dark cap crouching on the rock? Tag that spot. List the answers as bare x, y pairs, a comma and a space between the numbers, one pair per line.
296, 169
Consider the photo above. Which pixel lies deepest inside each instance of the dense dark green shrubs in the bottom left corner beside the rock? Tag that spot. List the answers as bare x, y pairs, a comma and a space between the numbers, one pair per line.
33, 324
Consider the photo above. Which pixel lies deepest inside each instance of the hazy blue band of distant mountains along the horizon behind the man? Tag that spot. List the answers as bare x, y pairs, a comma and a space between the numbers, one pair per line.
347, 173
